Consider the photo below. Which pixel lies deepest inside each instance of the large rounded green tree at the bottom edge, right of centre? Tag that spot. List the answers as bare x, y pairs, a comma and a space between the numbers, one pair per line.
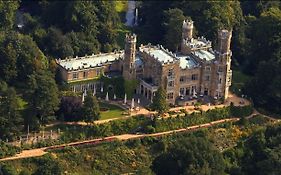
190, 156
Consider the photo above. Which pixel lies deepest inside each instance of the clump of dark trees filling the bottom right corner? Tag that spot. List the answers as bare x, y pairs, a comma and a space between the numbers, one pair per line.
260, 154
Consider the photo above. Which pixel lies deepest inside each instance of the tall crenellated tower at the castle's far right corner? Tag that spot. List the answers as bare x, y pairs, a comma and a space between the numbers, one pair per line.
223, 64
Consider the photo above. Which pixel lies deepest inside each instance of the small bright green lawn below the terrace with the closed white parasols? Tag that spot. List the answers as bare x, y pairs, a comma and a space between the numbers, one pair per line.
113, 112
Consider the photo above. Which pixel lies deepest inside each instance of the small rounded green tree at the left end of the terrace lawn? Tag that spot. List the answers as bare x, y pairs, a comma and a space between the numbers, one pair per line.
90, 109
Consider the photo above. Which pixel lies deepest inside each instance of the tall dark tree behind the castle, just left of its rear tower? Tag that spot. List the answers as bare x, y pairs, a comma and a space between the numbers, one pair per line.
173, 28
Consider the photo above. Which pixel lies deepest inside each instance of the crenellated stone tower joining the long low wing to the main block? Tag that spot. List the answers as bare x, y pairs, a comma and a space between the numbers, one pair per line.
129, 71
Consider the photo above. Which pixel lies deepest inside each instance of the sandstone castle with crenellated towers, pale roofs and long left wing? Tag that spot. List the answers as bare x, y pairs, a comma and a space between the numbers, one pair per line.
195, 72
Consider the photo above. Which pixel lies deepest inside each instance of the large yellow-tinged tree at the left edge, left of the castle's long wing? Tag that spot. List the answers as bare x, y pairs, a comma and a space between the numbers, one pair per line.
20, 57
